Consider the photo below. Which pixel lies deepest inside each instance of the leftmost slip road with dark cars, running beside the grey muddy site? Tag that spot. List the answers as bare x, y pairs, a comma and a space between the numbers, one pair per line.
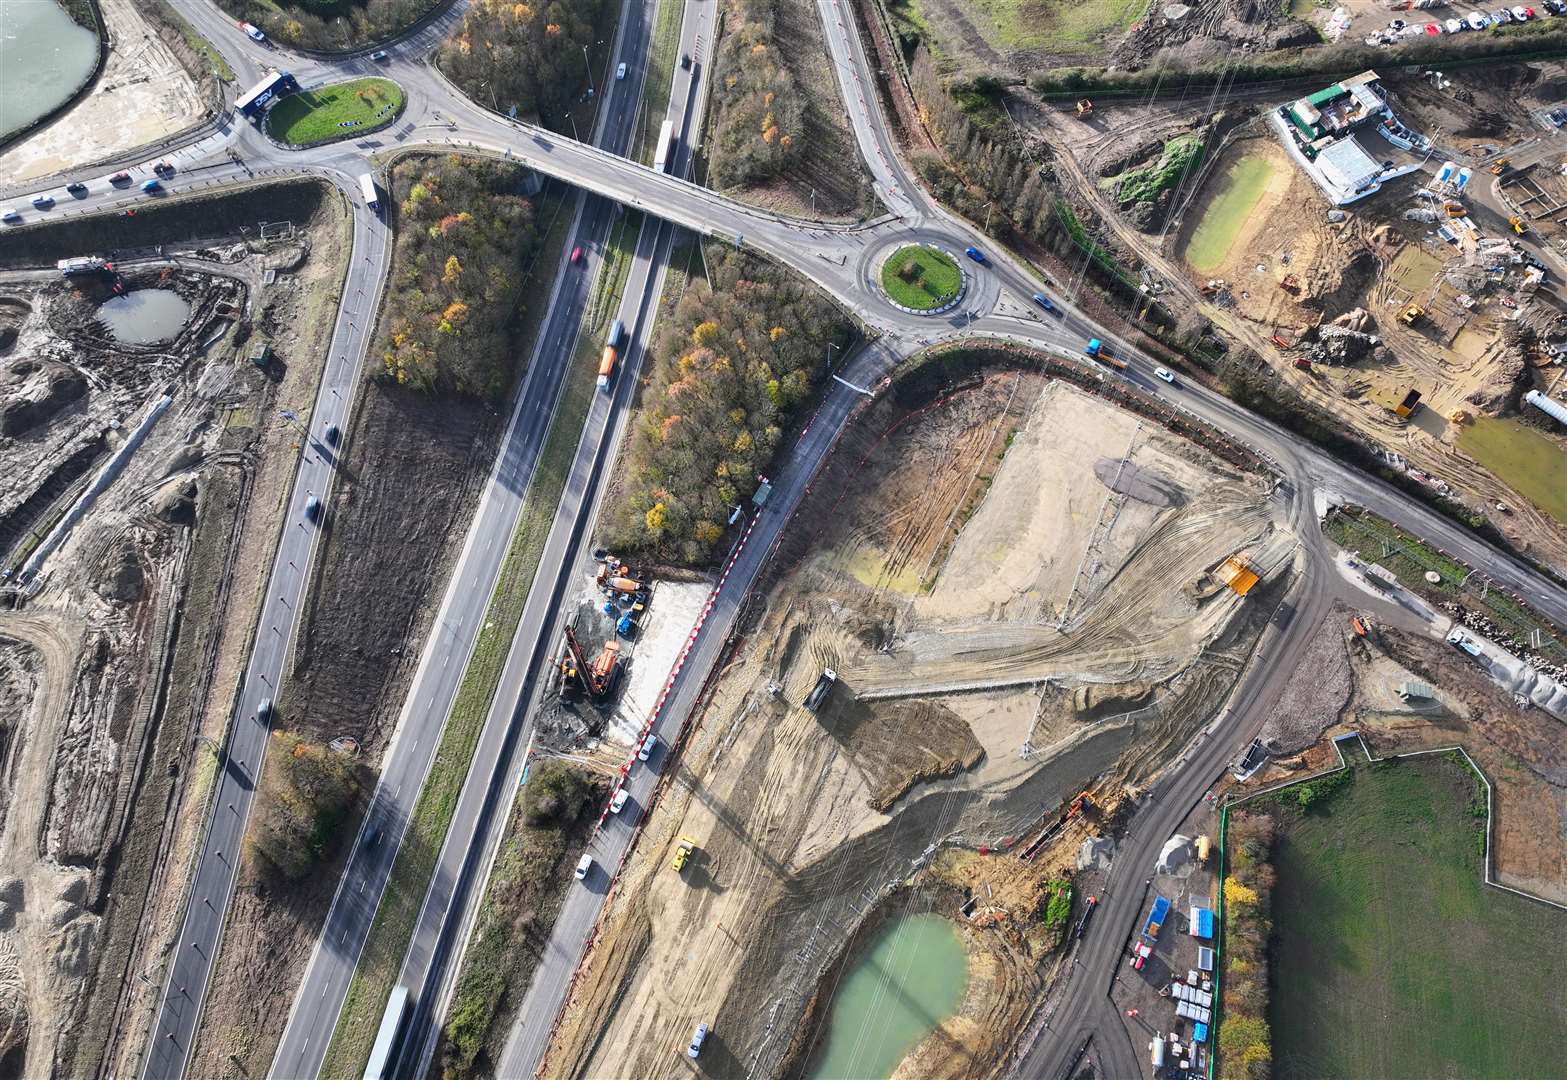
190, 960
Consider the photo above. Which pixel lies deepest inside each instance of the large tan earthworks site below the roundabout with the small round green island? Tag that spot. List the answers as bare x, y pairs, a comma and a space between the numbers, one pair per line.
938, 695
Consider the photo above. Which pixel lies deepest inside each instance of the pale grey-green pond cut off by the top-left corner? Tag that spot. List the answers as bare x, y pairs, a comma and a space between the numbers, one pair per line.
45, 57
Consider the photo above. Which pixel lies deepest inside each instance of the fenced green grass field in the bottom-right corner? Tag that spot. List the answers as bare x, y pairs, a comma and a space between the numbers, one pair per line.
1392, 959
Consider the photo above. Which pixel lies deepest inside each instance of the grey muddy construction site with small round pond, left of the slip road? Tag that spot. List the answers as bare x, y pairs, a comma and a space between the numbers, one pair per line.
140, 394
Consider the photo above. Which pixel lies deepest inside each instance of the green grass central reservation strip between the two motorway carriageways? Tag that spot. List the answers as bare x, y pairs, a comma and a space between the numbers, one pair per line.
427, 830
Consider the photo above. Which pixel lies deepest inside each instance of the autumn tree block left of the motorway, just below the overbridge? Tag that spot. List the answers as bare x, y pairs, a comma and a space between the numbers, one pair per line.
465, 231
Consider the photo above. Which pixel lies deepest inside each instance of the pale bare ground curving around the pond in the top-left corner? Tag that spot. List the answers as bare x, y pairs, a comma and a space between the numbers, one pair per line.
143, 95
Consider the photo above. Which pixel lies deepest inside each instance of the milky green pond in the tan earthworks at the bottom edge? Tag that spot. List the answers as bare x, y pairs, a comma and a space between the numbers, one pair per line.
911, 979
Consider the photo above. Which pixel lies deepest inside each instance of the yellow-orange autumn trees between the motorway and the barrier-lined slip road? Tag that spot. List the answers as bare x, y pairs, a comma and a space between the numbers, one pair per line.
728, 372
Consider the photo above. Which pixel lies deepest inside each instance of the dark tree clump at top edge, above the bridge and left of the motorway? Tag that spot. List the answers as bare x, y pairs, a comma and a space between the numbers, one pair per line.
524, 56
